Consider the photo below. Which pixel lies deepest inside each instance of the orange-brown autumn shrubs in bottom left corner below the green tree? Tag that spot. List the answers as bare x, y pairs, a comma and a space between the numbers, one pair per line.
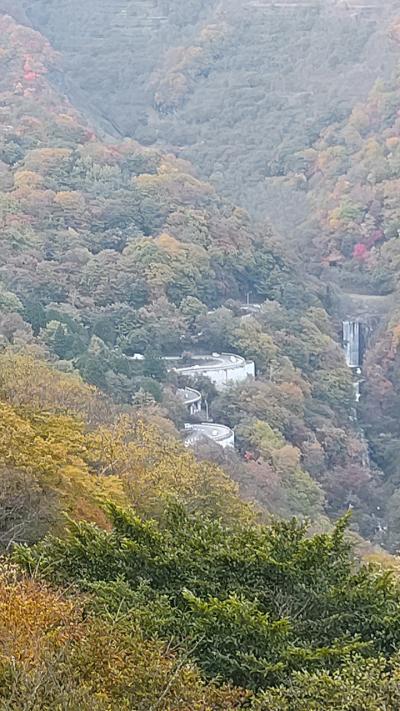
56, 656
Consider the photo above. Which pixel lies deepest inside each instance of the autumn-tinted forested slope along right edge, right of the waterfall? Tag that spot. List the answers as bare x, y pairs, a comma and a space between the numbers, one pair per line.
352, 175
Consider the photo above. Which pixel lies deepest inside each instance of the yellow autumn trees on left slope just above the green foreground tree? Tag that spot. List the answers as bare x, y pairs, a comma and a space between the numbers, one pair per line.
65, 449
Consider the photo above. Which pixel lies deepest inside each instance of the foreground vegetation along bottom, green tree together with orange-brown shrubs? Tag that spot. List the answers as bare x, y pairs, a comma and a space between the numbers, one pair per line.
281, 620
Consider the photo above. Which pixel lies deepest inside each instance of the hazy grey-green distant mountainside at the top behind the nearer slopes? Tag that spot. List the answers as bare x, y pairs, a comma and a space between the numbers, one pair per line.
236, 86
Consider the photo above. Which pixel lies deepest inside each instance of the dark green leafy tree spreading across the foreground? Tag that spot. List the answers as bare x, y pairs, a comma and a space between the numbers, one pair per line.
252, 604
